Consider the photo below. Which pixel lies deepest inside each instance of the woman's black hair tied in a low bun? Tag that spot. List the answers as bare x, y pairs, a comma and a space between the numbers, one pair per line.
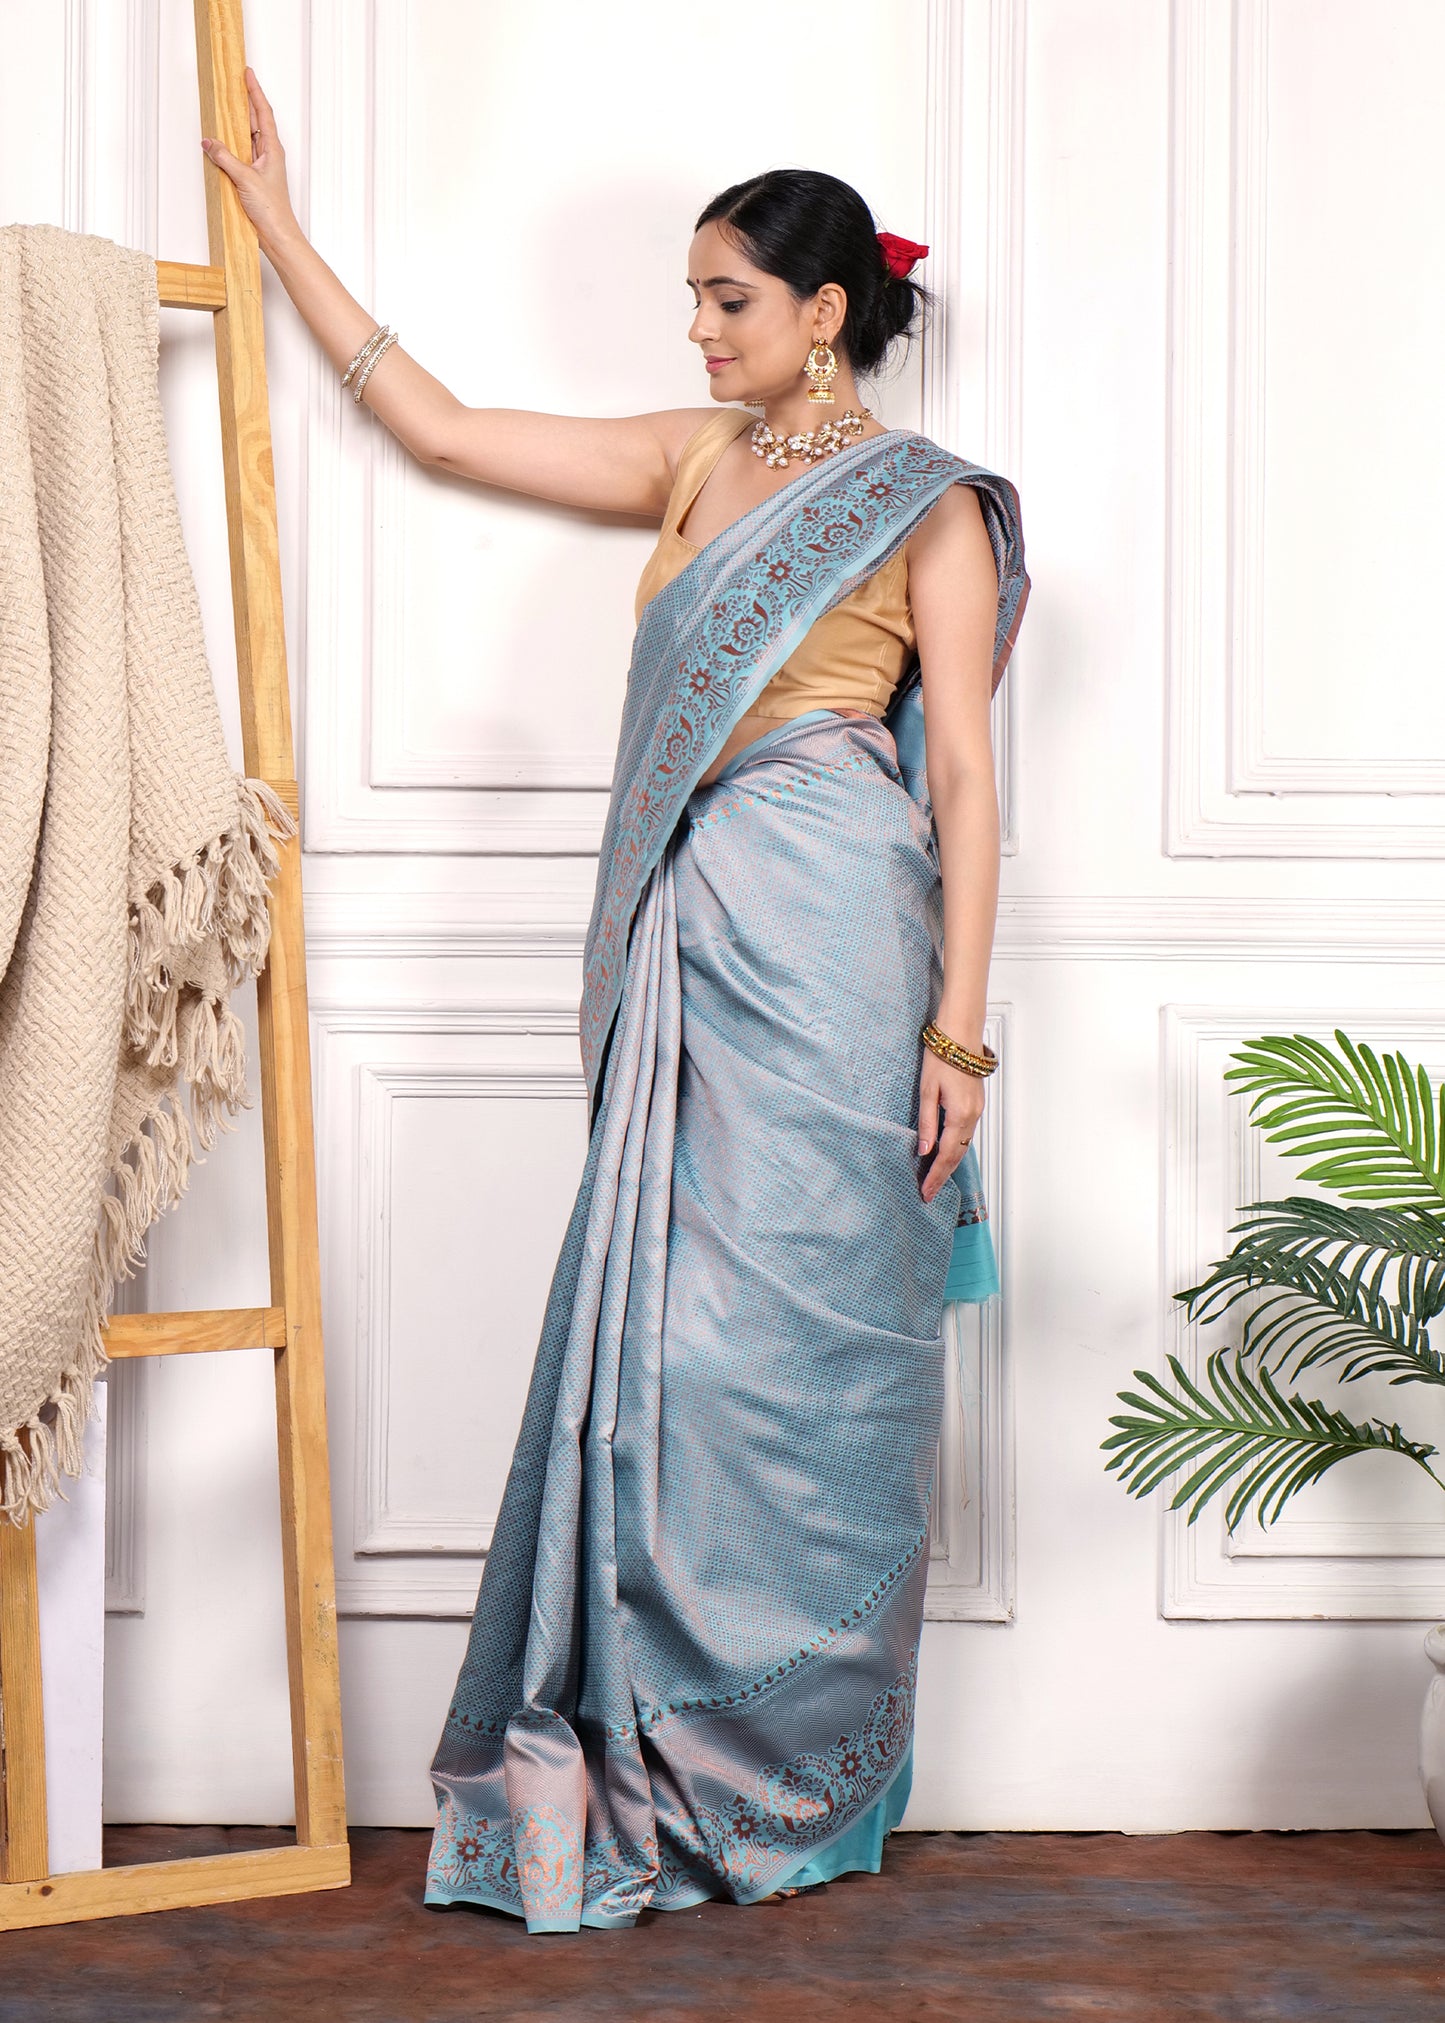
806, 230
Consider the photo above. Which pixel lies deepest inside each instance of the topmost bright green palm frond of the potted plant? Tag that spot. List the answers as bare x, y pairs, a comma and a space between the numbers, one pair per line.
1375, 1128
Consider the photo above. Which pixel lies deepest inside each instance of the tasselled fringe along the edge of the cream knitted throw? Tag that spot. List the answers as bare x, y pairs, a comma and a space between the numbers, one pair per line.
222, 893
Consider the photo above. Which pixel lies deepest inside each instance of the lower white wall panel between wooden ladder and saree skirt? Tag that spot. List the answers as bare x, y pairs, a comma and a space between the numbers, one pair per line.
440, 1122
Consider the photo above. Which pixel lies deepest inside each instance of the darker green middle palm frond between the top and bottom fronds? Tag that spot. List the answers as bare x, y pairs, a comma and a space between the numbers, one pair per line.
1319, 1312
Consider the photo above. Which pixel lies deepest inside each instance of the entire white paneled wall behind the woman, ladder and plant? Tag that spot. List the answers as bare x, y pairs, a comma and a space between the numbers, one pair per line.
1191, 294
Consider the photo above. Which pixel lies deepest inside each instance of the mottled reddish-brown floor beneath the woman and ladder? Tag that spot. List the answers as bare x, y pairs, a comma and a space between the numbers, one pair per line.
979, 1927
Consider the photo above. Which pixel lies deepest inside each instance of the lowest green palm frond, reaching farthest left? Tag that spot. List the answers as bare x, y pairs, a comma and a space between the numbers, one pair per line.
1242, 1427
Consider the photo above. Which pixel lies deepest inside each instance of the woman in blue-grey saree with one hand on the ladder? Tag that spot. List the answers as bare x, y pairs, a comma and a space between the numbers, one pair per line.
693, 1662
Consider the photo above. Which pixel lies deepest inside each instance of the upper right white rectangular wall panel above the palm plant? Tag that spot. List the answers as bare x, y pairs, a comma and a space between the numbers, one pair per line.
1306, 495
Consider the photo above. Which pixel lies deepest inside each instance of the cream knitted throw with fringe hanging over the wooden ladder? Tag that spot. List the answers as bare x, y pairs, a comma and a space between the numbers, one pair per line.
133, 859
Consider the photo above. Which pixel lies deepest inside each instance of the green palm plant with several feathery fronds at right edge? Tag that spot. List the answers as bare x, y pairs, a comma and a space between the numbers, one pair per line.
1343, 1288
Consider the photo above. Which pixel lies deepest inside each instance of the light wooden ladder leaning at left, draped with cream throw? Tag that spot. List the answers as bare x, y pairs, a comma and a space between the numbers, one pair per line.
292, 1322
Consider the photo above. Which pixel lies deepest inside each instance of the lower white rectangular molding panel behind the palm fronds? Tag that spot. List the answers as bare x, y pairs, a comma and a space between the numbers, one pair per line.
1304, 1569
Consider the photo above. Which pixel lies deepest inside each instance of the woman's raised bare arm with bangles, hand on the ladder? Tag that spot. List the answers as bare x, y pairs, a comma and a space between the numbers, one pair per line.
614, 466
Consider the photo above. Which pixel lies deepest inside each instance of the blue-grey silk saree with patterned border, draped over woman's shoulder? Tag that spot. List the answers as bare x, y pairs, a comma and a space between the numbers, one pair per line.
693, 1660
